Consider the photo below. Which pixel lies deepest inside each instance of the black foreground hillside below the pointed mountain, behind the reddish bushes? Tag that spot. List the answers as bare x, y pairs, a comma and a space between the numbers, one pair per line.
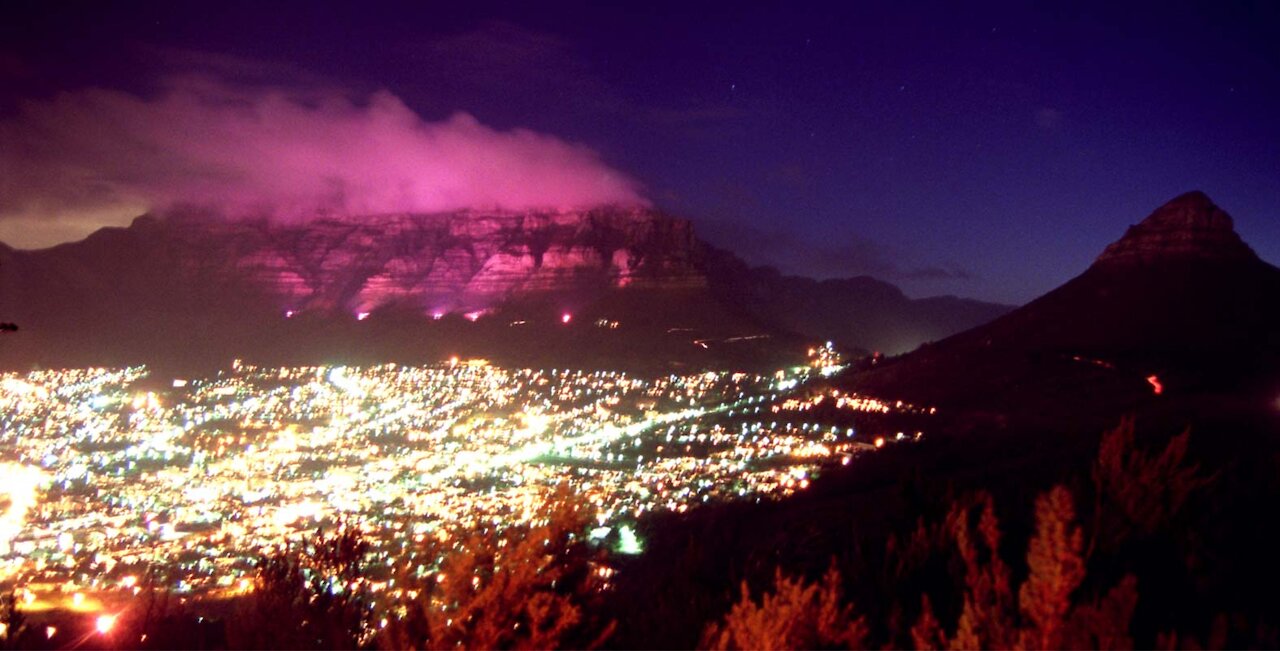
1213, 562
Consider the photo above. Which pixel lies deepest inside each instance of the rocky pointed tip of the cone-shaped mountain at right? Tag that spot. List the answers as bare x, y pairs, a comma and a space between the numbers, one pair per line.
1190, 227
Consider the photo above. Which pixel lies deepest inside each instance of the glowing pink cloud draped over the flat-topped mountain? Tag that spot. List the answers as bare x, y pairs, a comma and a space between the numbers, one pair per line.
286, 154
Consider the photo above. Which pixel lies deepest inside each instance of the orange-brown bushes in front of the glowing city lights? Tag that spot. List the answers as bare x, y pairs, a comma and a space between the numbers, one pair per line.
520, 588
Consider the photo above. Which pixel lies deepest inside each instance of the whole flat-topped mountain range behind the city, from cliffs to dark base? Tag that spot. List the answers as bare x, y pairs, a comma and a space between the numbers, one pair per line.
606, 286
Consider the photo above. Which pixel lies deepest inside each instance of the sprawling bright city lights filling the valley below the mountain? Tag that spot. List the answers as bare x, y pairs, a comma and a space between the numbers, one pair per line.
111, 475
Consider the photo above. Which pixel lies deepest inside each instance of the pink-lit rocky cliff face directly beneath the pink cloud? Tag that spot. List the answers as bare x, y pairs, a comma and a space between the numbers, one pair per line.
440, 263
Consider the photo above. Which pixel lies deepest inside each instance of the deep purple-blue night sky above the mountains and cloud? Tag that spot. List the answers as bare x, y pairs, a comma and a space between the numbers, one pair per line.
986, 152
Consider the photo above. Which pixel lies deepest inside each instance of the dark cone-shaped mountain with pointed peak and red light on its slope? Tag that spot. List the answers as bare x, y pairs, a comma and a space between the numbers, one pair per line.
1180, 306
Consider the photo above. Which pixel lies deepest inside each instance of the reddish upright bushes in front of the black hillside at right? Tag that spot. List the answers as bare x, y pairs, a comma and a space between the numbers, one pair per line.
1054, 607
